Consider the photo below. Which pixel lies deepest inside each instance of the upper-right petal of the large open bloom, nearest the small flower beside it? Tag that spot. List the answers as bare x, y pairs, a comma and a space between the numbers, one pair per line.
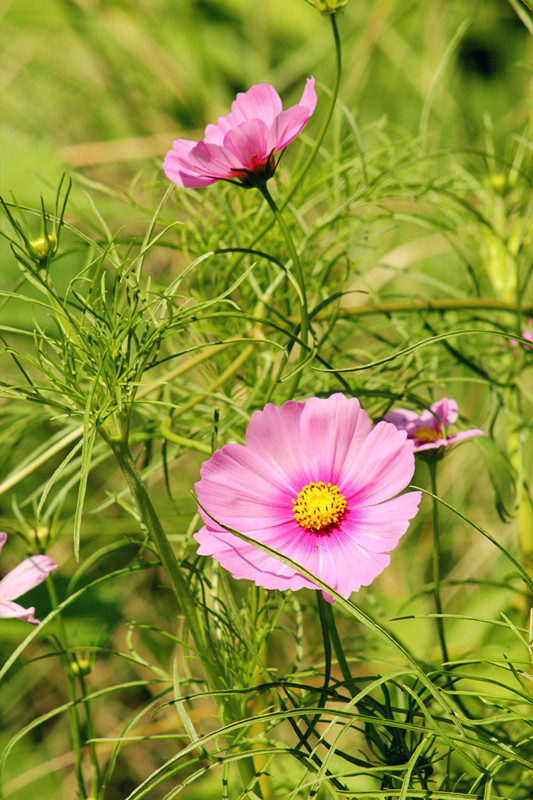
383, 466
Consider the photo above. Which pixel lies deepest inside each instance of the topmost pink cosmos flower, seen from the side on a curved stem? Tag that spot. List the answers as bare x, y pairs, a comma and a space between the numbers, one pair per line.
243, 141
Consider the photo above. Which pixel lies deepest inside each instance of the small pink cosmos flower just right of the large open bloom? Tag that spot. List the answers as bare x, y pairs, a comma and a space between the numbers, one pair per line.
428, 430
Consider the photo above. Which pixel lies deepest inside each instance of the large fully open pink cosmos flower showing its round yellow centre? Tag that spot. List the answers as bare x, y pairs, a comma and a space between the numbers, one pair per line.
316, 483
